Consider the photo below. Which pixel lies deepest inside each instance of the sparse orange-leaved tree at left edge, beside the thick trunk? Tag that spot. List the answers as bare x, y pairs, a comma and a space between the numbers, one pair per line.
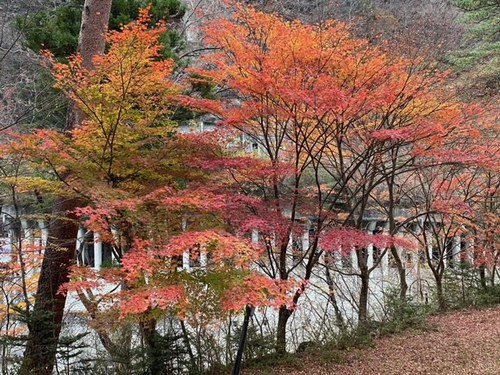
21, 255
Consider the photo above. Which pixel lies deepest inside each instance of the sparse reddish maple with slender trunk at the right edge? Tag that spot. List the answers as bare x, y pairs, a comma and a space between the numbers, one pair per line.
447, 194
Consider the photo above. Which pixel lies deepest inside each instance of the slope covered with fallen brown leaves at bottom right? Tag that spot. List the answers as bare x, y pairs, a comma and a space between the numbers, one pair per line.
461, 342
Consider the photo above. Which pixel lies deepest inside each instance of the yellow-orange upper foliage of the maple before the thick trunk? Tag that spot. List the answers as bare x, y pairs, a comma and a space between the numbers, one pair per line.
128, 98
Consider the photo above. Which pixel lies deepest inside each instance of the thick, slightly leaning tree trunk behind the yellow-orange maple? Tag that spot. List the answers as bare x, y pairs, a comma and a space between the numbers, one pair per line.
44, 324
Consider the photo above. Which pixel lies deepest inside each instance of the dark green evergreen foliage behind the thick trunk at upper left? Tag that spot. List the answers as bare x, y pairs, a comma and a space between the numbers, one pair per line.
57, 30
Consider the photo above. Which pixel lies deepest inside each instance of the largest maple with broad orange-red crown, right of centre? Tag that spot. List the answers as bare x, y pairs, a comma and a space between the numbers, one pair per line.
306, 97
